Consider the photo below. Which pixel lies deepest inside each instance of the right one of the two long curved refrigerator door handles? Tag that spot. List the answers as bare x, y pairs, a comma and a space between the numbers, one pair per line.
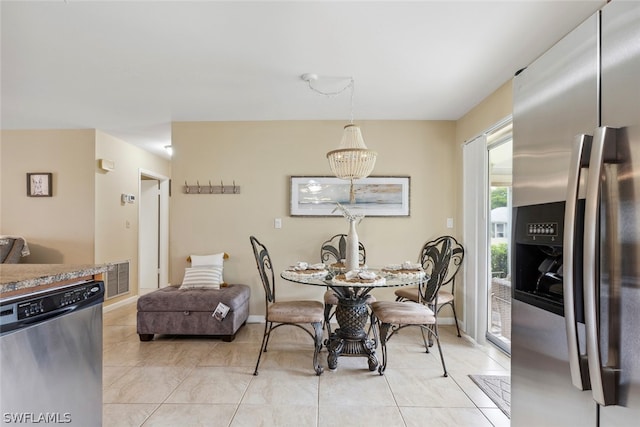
603, 379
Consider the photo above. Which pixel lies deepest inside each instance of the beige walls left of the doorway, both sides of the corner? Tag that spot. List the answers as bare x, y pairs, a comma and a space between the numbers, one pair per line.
84, 221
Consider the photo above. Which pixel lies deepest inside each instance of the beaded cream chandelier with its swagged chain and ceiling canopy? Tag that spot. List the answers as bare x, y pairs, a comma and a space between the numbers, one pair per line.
352, 159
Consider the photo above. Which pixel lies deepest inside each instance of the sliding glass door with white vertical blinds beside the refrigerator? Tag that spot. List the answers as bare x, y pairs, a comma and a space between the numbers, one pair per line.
486, 232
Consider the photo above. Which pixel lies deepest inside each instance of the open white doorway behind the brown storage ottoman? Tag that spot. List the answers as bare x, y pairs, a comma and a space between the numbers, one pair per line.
153, 233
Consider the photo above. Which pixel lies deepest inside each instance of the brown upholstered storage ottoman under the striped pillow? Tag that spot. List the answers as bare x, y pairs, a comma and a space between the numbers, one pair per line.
176, 311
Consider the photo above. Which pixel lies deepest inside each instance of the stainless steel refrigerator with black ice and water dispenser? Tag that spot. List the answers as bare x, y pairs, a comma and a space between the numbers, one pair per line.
576, 236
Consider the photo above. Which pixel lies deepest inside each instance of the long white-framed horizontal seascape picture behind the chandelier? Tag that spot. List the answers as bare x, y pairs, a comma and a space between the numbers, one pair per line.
375, 196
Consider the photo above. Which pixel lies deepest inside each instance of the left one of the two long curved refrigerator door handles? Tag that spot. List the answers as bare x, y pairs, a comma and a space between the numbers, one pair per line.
577, 363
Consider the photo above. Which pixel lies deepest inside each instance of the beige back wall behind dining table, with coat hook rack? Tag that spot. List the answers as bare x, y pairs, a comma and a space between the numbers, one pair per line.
261, 156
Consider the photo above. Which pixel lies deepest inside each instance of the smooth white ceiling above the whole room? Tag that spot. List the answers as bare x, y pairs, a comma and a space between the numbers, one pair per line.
130, 68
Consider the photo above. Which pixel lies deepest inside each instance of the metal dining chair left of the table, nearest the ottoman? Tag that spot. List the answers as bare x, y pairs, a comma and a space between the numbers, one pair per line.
280, 313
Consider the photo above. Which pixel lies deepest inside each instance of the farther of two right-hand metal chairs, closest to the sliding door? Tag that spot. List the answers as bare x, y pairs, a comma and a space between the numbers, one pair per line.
443, 256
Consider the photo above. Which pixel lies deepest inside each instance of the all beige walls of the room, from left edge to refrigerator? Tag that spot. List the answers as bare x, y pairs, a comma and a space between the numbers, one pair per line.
86, 222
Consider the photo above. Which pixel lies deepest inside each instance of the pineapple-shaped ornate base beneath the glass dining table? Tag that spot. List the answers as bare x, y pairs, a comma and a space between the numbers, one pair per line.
351, 339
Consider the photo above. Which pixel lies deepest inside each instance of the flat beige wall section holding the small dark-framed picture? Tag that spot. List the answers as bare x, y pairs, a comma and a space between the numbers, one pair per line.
58, 229
